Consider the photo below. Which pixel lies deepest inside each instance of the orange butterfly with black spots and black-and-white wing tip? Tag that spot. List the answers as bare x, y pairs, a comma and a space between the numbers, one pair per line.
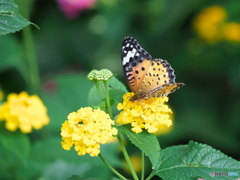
146, 77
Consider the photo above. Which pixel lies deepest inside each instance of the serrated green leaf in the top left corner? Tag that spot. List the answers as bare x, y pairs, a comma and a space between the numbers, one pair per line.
10, 19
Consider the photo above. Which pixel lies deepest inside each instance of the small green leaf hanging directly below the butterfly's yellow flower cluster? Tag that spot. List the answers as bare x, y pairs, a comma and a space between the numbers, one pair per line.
145, 141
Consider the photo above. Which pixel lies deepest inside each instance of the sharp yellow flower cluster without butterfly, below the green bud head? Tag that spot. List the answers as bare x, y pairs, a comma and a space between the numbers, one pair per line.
87, 129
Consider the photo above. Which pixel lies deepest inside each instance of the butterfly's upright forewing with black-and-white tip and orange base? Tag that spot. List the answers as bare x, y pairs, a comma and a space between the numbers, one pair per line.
135, 62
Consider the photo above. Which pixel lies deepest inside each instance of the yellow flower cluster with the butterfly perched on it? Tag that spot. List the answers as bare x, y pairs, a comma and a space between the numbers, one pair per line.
144, 114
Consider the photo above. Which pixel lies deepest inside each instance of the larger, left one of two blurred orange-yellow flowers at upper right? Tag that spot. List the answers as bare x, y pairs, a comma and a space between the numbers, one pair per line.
209, 23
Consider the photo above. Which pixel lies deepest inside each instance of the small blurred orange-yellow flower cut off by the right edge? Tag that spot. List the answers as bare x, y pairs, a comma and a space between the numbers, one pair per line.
231, 31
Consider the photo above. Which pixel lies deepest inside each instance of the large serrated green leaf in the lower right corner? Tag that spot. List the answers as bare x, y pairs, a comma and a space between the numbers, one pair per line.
194, 161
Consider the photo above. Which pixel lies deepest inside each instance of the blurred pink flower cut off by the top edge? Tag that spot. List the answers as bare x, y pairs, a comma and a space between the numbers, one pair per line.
72, 8
